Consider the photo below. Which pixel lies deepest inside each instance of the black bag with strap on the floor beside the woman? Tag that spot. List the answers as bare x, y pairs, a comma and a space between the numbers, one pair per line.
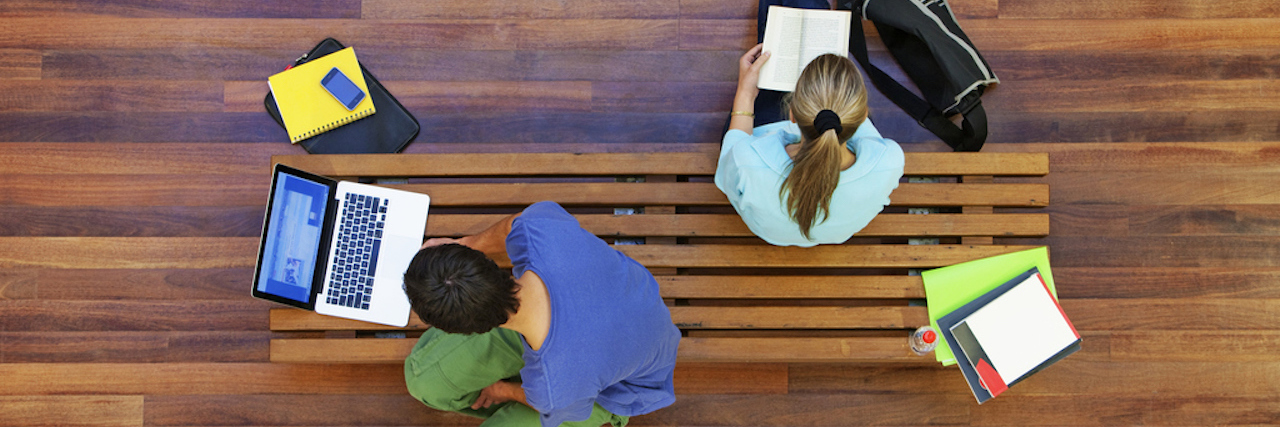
927, 43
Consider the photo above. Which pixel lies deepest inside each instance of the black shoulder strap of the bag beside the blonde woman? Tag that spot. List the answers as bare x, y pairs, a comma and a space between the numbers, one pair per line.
968, 137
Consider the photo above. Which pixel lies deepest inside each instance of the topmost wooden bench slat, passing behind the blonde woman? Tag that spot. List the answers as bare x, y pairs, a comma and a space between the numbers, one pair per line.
926, 164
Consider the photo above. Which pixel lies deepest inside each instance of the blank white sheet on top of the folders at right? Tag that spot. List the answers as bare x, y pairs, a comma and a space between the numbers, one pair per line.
1022, 329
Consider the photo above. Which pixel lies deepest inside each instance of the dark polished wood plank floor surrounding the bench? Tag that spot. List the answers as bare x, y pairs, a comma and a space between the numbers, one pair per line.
134, 171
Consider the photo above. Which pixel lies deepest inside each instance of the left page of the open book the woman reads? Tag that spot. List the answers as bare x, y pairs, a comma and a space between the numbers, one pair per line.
783, 42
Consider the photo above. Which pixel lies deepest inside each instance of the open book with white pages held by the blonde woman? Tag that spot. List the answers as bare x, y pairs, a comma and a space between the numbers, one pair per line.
797, 36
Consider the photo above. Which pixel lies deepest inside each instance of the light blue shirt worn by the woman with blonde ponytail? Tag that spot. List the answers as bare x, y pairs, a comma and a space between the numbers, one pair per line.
752, 169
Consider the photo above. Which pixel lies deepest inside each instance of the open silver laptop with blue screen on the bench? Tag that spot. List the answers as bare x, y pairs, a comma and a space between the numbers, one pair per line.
340, 249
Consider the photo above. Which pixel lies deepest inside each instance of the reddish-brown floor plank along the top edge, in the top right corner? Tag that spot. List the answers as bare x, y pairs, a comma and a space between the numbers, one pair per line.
1150, 10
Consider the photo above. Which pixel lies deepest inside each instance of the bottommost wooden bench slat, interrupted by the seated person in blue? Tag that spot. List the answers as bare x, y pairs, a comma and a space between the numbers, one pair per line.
692, 350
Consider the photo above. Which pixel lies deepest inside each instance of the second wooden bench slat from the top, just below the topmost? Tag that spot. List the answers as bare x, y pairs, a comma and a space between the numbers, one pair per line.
707, 195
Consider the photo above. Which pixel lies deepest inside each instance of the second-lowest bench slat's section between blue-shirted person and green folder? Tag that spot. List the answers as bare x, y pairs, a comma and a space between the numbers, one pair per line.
801, 318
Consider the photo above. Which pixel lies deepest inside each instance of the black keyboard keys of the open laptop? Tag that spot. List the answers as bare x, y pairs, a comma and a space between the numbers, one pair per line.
360, 235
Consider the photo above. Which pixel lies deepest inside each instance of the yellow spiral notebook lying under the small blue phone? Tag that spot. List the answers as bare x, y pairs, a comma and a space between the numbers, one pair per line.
307, 108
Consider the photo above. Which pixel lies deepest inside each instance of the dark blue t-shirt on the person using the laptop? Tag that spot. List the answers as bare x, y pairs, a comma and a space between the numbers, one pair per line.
611, 341
